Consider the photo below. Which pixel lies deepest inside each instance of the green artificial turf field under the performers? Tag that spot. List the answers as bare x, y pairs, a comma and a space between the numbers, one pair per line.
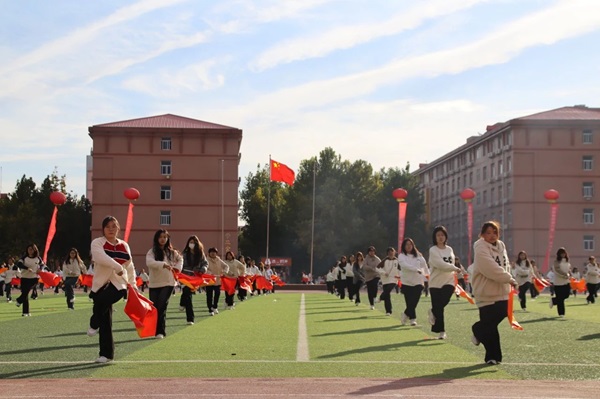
259, 339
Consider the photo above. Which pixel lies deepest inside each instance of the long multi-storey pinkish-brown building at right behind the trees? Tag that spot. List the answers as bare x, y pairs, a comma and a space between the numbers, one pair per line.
510, 167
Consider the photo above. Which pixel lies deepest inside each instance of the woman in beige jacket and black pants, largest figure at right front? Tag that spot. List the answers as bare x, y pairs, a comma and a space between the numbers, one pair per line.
492, 283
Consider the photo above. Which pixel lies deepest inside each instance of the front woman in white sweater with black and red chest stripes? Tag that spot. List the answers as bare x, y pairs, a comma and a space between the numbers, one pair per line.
113, 271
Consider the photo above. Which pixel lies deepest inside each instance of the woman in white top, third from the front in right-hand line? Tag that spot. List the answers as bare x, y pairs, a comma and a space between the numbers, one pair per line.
412, 269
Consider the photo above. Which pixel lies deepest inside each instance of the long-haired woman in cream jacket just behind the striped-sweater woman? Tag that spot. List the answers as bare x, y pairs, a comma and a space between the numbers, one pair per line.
162, 260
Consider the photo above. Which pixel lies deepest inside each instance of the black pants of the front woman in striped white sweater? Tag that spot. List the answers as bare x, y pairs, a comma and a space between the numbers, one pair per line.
102, 317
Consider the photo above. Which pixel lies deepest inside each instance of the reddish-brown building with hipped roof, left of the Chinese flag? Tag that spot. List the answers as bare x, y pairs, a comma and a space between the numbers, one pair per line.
186, 171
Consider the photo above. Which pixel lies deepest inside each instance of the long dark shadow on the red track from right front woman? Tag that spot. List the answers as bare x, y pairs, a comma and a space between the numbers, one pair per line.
444, 377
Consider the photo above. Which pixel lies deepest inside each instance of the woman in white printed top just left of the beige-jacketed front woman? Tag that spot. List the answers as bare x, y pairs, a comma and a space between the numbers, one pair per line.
441, 281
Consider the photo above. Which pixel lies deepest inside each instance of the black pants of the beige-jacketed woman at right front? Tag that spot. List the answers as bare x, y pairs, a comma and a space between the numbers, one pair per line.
486, 329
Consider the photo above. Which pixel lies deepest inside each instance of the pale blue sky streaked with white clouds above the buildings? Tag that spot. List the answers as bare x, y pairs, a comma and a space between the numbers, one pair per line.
386, 81
